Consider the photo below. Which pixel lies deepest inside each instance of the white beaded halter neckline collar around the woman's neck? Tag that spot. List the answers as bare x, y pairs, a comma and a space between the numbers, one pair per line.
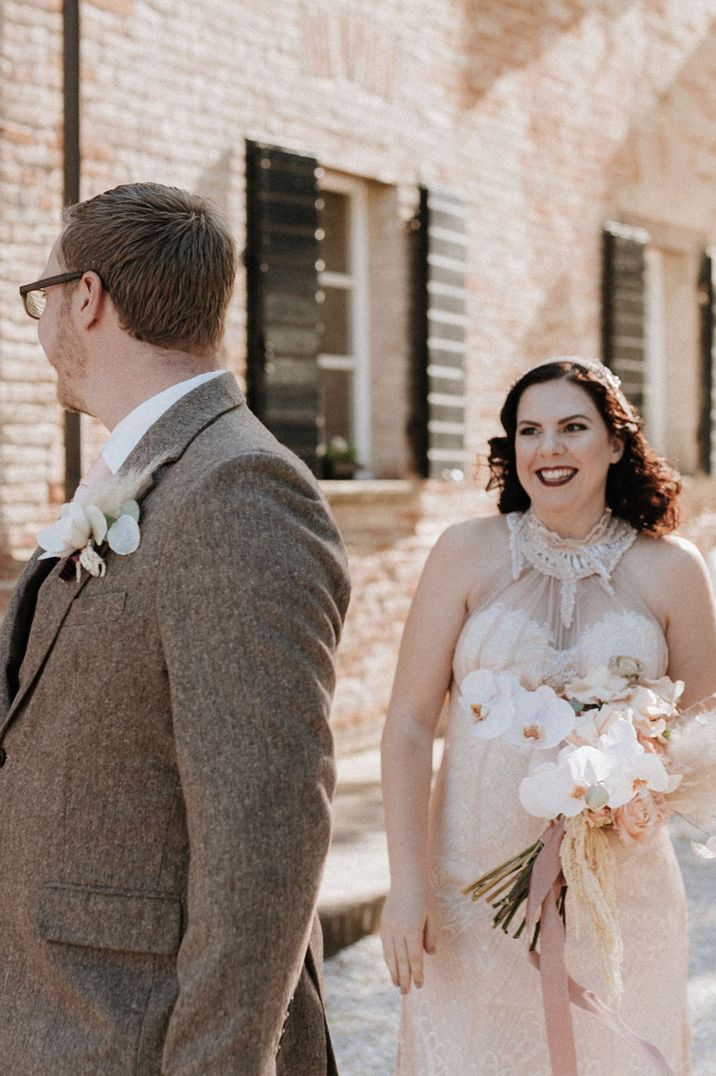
569, 560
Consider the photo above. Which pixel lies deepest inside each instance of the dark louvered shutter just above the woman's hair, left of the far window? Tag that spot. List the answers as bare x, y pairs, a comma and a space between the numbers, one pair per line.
624, 310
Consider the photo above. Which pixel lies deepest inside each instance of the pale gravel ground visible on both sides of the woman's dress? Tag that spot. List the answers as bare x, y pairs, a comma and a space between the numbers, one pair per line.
363, 1006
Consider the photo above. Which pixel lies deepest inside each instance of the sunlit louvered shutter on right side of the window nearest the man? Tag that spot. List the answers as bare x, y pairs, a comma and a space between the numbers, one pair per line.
438, 426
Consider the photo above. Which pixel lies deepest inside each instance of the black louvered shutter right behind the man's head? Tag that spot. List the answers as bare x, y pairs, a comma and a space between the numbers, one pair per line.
283, 309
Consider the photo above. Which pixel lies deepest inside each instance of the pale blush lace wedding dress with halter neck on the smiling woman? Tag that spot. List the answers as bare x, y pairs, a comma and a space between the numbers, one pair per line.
565, 607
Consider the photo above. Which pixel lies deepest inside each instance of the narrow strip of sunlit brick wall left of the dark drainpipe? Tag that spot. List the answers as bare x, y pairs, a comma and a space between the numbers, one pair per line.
31, 194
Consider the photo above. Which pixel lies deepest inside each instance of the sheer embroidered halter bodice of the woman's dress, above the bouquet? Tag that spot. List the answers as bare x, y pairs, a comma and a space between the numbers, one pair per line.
565, 606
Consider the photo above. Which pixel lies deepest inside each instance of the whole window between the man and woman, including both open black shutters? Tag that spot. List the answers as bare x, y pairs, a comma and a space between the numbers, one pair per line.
355, 330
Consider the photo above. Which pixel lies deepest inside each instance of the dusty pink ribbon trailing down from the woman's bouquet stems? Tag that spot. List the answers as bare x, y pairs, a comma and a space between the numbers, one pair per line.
558, 987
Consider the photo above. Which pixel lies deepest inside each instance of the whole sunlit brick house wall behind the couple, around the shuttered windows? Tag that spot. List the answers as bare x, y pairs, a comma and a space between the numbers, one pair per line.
547, 120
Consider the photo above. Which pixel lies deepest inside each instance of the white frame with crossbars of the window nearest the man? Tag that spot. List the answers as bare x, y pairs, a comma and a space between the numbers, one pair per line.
357, 282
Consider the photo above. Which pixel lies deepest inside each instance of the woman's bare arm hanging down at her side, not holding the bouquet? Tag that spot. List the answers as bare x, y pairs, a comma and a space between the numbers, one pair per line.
422, 682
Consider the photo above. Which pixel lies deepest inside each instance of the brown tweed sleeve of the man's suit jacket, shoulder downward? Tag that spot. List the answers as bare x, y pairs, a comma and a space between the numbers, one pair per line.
252, 593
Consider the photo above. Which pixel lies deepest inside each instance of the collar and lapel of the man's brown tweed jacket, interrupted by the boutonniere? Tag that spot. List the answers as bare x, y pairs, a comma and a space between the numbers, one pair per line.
164, 443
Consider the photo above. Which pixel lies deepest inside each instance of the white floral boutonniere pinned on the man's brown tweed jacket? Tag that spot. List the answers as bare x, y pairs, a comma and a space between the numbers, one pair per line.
108, 519
